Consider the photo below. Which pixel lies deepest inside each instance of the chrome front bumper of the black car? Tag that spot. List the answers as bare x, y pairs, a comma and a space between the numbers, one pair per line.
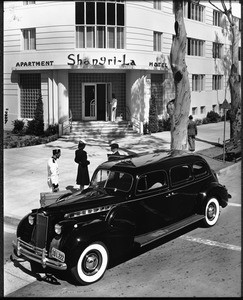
32, 253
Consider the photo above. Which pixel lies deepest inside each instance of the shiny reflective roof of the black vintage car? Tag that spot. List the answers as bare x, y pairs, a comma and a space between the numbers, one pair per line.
151, 161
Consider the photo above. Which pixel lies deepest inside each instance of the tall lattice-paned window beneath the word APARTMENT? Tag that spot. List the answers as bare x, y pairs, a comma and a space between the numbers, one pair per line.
30, 89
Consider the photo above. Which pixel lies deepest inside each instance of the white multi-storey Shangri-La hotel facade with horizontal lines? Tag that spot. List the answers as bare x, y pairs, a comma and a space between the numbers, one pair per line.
77, 53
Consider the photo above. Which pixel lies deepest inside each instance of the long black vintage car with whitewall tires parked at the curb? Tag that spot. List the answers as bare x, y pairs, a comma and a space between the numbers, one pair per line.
129, 201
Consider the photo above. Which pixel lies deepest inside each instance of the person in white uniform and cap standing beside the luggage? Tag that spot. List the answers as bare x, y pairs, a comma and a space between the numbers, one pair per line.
53, 171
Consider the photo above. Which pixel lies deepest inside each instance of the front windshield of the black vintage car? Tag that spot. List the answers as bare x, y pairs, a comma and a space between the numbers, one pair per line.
112, 180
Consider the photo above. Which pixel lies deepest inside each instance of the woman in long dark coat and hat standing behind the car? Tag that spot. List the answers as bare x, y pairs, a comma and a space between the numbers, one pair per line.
81, 160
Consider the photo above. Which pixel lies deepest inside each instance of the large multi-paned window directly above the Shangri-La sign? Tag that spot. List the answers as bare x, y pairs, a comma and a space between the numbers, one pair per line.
100, 24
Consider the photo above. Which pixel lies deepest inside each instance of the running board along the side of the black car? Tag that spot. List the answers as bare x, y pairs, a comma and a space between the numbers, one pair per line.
145, 239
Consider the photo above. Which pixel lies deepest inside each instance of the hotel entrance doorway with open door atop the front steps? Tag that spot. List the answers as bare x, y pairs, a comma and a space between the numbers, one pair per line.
95, 101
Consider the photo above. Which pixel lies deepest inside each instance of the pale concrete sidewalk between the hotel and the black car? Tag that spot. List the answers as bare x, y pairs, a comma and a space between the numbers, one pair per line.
25, 169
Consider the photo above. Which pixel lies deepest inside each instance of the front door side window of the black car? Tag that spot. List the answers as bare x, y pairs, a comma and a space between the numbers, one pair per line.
152, 181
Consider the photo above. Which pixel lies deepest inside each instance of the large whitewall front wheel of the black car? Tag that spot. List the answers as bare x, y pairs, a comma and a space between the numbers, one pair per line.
91, 264
